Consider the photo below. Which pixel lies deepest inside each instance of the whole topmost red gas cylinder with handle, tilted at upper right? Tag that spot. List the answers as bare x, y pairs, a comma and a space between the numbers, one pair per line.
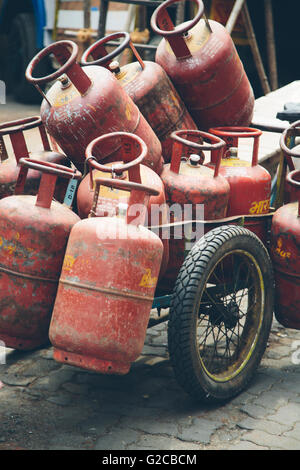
200, 58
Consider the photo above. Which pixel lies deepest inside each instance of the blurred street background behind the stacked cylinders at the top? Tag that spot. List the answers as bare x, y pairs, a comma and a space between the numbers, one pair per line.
268, 50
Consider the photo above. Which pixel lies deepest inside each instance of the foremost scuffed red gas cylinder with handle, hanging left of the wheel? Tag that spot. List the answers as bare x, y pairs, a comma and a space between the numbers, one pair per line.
106, 287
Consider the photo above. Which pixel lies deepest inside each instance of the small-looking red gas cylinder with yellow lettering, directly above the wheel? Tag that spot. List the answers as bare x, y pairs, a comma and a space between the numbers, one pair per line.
250, 183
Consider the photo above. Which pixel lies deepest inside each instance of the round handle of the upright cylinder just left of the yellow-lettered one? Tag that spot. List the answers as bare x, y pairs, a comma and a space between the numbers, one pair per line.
217, 144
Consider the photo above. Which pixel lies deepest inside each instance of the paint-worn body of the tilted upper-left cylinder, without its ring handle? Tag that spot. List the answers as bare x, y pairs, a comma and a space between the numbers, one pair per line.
75, 119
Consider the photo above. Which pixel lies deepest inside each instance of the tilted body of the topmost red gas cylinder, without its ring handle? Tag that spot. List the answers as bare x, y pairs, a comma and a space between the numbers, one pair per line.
212, 81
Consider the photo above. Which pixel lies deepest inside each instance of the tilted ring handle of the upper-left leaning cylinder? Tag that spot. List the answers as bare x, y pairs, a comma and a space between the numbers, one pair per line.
68, 63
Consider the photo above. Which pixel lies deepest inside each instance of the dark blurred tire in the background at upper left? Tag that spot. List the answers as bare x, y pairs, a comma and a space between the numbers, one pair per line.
21, 49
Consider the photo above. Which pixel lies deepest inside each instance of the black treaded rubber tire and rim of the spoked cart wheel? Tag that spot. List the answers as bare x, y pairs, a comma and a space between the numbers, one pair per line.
200, 263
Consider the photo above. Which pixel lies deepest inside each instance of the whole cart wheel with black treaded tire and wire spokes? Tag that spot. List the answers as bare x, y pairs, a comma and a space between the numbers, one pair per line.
221, 313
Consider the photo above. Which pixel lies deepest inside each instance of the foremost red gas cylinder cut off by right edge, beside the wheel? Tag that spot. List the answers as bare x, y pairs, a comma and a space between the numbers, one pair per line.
285, 253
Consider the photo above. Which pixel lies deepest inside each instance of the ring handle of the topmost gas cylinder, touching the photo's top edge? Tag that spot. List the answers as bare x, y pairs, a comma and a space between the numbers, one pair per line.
174, 35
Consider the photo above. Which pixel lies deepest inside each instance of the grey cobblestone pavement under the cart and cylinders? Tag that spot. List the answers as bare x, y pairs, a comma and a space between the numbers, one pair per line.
47, 405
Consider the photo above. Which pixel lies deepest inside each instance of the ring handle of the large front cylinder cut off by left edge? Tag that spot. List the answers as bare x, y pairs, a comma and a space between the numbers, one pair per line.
50, 172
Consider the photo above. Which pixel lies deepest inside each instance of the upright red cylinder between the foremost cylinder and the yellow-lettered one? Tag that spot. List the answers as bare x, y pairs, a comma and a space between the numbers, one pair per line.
193, 192
